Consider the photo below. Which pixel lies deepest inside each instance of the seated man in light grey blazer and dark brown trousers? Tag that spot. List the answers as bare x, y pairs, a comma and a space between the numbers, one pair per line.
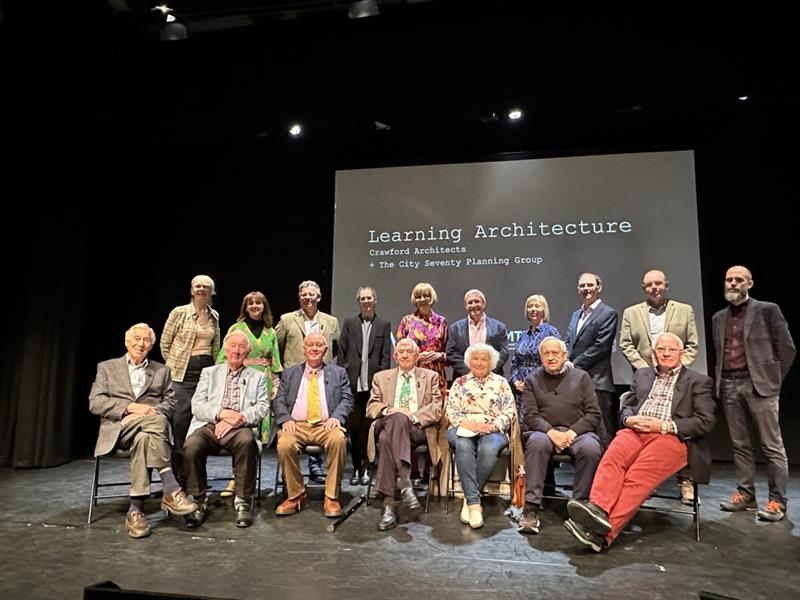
227, 408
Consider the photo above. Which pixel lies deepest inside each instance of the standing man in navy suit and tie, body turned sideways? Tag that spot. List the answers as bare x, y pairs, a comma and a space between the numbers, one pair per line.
590, 340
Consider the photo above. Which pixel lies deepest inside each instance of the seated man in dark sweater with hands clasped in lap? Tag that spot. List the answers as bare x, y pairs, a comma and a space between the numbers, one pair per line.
562, 415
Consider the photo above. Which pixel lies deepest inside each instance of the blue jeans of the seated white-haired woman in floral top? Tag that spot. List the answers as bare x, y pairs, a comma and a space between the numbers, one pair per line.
475, 459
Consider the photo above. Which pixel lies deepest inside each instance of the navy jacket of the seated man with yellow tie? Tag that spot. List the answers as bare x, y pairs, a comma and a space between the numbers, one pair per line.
337, 392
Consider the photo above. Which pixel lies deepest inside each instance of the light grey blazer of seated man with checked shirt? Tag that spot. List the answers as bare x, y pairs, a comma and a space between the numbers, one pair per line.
207, 399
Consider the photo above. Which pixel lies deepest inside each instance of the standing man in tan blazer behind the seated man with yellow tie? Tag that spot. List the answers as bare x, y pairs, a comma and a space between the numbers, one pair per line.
292, 330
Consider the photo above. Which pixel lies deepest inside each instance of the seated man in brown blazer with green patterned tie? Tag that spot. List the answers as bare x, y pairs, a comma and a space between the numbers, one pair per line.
407, 406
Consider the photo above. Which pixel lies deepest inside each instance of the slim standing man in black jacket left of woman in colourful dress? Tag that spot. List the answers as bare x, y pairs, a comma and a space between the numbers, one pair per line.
365, 347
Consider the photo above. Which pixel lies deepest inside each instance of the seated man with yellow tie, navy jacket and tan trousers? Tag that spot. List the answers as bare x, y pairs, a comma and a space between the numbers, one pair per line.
313, 401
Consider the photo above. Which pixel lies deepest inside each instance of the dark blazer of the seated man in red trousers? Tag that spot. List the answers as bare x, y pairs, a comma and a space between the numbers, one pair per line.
692, 410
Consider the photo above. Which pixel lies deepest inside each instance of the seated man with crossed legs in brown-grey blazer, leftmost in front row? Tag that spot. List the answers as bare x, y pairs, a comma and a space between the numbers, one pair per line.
134, 398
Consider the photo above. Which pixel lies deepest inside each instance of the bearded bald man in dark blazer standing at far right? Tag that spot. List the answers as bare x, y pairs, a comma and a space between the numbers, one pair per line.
754, 353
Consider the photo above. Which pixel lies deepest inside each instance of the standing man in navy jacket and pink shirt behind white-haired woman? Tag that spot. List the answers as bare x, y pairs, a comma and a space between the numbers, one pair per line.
477, 327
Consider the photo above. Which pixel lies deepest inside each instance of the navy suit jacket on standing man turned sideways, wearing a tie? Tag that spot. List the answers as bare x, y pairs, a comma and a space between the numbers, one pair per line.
590, 349
